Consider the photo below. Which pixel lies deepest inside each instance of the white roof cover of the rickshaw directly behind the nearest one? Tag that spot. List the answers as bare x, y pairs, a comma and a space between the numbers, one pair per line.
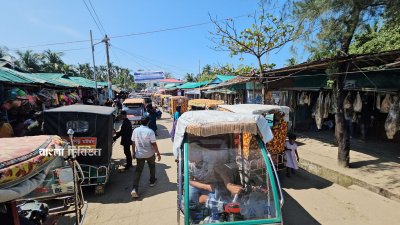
256, 109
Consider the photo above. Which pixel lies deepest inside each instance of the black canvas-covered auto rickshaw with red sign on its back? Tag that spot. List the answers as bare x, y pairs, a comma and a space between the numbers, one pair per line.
93, 126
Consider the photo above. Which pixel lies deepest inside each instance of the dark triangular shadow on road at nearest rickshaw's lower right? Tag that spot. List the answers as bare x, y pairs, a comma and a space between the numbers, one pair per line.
294, 214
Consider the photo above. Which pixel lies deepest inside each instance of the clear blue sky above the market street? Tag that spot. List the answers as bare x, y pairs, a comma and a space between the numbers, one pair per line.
27, 22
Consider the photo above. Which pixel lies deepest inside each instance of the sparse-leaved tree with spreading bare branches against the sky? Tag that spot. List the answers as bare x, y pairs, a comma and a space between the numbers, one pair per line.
265, 34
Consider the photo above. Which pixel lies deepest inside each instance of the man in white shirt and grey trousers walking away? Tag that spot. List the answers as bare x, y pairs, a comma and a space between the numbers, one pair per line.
144, 149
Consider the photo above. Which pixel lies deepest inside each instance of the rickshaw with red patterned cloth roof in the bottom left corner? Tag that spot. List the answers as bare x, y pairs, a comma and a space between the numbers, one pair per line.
37, 171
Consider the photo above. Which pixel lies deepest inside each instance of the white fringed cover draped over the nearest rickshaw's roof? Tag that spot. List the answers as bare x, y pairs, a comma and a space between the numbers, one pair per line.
209, 122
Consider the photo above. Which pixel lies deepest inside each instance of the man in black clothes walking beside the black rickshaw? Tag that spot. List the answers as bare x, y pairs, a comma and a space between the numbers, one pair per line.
125, 133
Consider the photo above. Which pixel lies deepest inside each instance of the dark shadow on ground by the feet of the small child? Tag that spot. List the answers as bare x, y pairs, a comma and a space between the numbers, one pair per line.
302, 180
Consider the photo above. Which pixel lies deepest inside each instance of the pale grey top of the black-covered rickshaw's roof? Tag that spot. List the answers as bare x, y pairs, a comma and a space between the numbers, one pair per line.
94, 109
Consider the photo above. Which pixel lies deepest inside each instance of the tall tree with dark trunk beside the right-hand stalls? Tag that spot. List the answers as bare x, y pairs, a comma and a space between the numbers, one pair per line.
336, 22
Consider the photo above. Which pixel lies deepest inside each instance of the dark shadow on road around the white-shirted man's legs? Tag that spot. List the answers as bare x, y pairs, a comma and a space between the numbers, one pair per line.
119, 188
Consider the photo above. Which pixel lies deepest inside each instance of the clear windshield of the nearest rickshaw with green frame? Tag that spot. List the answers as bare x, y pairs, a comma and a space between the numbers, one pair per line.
227, 180
